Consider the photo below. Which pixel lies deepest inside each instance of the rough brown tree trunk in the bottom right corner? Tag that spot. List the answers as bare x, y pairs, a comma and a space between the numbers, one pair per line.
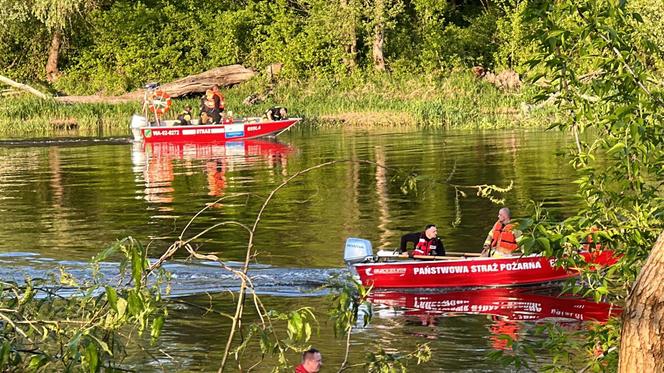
642, 338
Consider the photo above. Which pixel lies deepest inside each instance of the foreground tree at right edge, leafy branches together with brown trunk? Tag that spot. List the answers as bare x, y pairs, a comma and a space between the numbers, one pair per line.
596, 63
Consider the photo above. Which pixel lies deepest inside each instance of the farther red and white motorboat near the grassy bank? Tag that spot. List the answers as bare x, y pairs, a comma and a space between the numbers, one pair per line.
248, 128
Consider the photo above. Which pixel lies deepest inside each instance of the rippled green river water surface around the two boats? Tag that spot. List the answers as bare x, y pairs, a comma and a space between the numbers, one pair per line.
61, 204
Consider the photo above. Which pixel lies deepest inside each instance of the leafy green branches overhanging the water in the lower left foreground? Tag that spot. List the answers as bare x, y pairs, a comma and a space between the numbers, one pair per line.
46, 327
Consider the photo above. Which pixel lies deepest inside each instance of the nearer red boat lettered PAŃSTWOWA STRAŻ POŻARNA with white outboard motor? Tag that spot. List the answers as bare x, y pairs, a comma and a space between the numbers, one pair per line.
381, 272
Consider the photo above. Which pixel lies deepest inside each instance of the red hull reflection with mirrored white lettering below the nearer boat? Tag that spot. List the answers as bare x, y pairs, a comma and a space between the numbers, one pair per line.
510, 304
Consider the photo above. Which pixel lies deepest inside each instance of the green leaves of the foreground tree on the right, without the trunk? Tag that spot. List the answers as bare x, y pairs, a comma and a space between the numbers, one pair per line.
597, 65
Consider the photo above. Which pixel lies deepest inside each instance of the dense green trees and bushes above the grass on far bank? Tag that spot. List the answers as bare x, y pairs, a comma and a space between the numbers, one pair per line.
108, 46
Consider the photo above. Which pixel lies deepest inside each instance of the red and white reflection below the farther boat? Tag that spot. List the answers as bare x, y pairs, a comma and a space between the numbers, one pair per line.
157, 163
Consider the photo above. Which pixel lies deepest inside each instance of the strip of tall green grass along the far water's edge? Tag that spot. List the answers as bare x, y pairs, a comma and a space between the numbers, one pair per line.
456, 100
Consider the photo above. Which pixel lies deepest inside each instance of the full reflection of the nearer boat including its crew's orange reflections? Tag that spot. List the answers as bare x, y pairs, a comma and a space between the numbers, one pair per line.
508, 310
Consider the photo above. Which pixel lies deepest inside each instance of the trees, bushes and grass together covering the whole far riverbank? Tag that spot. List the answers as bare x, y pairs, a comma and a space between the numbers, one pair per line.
387, 61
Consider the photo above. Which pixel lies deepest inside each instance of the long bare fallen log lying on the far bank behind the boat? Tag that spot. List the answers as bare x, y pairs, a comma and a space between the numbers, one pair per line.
224, 76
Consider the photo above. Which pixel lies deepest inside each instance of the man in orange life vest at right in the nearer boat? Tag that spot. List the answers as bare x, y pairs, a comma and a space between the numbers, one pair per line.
503, 238
